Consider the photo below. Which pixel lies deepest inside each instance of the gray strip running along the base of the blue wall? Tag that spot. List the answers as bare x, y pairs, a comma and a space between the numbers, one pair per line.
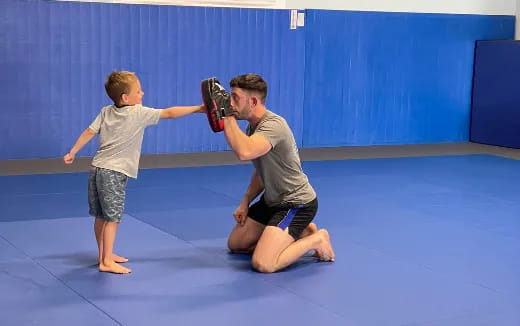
82, 164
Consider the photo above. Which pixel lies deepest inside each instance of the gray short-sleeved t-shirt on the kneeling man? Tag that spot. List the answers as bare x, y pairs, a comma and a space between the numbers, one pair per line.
280, 168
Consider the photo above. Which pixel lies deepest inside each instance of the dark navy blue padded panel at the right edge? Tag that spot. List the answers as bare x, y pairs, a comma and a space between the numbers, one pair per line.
495, 114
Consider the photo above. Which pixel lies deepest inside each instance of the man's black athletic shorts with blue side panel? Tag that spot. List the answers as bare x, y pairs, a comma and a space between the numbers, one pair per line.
294, 217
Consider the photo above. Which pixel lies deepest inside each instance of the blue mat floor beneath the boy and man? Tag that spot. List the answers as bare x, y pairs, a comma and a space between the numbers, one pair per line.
418, 241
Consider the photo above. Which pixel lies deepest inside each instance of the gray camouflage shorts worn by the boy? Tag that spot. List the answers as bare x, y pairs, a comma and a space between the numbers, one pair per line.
106, 194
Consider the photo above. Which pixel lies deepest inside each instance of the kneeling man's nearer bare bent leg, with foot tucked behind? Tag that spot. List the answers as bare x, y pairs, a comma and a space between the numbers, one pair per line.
277, 249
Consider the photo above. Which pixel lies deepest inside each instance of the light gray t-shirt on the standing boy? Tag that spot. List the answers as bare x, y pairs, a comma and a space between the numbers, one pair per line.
121, 133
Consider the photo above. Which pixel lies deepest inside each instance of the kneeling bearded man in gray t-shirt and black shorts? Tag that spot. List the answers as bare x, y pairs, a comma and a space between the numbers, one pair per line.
277, 228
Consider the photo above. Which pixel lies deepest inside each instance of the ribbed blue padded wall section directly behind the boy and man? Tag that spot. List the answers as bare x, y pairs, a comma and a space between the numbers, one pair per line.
54, 57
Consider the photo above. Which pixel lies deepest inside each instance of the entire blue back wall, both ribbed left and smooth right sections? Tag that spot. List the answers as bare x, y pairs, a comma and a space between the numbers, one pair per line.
346, 78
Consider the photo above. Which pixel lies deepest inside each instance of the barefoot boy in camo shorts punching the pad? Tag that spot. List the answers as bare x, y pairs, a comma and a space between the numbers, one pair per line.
121, 128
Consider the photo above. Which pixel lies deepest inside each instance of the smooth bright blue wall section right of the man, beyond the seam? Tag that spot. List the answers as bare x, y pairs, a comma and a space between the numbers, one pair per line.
391, 78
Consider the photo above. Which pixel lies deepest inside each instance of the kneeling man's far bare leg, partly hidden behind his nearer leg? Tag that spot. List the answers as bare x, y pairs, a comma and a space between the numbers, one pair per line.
243, 238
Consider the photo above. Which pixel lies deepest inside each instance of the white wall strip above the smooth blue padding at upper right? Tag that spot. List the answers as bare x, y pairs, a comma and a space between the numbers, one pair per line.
485, 7
